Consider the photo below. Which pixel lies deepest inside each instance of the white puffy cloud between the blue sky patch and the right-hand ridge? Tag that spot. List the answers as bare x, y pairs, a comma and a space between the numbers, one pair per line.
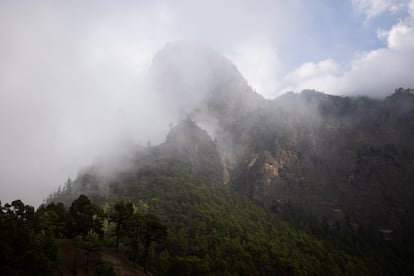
373, 73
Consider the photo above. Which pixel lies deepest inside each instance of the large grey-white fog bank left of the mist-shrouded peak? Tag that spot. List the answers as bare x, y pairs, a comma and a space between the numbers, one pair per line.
71, 88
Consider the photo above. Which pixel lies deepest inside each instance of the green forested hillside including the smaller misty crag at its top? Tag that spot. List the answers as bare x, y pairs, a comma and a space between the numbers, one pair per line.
214, 229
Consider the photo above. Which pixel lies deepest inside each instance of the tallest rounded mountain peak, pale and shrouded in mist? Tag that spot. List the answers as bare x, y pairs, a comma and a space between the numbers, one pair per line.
194, 79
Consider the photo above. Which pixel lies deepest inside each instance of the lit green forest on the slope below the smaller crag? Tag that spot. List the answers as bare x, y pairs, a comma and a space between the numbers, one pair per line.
218, 231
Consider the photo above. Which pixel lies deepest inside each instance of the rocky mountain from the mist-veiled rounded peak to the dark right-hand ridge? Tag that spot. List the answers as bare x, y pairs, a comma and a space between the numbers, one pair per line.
344, 157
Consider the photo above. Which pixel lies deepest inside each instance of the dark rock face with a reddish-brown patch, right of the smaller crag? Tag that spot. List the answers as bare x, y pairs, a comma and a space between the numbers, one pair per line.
345, 158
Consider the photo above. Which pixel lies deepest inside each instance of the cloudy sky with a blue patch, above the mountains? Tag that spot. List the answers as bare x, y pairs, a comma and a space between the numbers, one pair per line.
71, 71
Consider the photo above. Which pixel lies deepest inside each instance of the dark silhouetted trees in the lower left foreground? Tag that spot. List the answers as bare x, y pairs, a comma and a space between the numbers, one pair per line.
27, 237
